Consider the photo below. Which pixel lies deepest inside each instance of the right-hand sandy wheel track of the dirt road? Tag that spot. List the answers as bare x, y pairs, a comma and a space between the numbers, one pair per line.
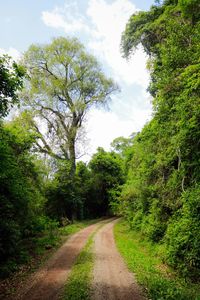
112, 279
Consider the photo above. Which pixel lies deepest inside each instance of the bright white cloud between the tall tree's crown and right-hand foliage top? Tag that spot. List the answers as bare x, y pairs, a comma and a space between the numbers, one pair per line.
104, 25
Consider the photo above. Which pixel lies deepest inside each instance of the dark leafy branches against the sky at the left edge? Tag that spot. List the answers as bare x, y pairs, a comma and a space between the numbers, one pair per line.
11, 75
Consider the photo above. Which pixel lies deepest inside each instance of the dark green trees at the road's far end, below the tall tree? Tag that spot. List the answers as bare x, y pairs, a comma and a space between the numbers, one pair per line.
91, 191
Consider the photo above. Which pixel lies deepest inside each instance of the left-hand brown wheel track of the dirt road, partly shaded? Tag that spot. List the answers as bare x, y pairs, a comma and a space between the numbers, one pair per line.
47, 283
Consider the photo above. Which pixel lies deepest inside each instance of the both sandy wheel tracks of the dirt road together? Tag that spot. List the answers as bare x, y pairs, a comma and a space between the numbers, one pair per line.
111, 279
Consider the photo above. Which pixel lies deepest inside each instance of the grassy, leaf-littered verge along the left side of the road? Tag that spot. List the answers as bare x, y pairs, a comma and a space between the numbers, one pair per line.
41, 249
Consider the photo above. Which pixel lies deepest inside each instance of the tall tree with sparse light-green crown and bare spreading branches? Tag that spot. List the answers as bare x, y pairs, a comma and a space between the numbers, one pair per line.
64, 83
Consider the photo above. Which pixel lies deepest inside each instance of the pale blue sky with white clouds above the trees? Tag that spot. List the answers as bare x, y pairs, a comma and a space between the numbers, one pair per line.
98, 24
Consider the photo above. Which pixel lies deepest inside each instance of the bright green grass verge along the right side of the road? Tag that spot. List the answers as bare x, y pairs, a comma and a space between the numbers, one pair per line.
144, 259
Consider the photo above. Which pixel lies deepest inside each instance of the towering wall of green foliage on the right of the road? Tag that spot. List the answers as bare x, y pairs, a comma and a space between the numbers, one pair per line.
161, 196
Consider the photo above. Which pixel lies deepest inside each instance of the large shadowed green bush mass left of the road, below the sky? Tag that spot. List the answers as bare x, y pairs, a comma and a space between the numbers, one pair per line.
20, 198
